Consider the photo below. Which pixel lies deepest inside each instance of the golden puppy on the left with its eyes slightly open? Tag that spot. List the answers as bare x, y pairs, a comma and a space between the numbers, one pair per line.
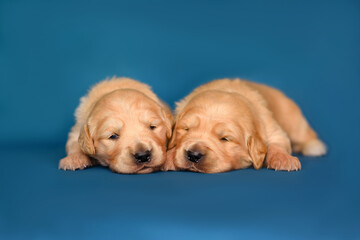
120, 124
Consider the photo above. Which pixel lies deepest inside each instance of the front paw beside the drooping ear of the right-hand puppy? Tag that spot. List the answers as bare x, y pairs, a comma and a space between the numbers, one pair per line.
280, 160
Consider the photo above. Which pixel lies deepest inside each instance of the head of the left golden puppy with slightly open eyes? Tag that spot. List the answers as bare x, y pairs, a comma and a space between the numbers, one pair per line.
128, 132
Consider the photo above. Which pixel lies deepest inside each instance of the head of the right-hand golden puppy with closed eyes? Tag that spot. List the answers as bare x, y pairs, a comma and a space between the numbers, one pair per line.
216, 132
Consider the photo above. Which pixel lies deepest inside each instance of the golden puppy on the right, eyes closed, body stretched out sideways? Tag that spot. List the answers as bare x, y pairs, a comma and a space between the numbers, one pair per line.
233, 124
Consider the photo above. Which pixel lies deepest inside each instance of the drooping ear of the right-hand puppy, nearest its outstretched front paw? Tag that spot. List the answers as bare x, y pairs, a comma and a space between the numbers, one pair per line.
257, 150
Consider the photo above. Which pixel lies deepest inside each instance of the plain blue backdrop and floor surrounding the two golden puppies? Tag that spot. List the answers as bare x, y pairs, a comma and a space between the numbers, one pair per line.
51, 52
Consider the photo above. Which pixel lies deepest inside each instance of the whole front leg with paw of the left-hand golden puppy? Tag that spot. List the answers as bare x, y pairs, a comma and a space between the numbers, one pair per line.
75, 159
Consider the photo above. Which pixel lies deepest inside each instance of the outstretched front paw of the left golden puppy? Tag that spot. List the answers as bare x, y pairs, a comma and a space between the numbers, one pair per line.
75, 161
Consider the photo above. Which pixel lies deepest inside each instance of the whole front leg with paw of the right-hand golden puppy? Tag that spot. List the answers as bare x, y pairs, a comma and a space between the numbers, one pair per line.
278, 154
